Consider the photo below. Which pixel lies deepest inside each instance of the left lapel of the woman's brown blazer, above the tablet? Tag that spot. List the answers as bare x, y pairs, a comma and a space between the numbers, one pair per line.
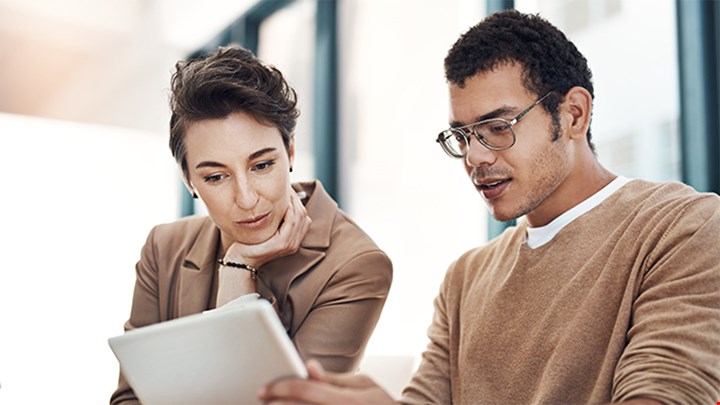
195, 275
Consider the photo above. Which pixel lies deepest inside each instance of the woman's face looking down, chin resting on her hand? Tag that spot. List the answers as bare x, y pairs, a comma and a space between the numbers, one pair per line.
240, 169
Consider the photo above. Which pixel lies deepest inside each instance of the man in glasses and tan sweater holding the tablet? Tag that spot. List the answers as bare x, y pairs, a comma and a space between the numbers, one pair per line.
607, 290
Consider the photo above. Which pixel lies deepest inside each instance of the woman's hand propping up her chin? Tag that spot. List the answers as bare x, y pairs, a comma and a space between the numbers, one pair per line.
286, 241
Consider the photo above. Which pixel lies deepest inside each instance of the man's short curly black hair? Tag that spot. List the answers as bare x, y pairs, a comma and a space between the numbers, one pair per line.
551, 61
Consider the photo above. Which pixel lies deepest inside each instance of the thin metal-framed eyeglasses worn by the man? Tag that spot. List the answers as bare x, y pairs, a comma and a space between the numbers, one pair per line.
493, 133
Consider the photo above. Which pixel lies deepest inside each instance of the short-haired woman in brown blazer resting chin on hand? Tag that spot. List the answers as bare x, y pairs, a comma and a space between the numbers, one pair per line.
231, 132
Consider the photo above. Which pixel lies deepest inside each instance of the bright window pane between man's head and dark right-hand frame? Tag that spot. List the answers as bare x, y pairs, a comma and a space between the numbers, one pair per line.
636, 110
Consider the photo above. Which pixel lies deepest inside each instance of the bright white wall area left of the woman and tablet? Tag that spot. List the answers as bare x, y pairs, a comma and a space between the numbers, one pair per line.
78, 201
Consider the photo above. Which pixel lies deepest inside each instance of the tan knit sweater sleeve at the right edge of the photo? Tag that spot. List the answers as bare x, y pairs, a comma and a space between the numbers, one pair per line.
673, 349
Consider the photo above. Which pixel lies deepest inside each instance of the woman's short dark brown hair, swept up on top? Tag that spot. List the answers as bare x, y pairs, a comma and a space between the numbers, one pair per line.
231, 80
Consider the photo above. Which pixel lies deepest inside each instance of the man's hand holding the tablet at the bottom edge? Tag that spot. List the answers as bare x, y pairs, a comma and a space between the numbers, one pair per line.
322, 388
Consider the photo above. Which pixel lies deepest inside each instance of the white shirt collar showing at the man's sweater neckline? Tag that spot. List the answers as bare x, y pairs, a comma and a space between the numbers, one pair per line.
539, 236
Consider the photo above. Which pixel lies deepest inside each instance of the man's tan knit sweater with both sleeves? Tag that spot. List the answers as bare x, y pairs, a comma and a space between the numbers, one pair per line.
624, 302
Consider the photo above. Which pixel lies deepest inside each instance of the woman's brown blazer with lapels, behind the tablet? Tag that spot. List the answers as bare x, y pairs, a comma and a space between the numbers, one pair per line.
328, 295
